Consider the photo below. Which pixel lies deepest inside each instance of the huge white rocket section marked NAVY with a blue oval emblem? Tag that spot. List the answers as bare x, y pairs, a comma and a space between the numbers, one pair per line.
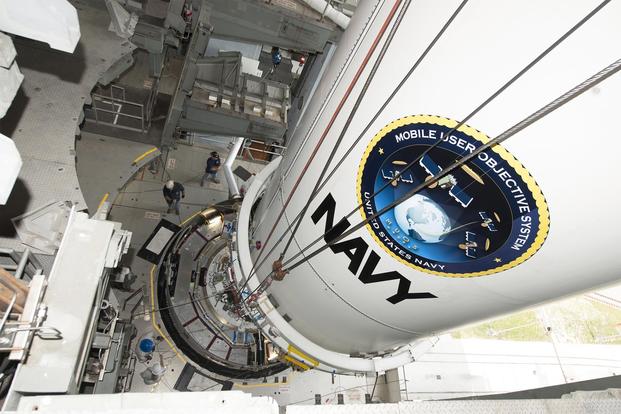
524, 222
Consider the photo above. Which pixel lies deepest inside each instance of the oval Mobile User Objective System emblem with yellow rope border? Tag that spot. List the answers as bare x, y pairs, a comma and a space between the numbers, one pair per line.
485, 217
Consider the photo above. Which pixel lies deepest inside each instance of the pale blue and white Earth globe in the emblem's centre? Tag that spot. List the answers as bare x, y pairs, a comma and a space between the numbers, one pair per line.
423, 219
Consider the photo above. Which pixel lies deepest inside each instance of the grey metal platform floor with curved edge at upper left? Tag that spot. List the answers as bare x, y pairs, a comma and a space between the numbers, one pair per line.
44, 116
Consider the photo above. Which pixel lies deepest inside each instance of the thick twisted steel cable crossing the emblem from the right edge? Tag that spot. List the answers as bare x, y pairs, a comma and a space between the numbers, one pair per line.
545, 110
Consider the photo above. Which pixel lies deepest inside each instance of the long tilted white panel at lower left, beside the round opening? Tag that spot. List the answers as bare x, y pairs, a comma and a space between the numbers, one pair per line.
73, 283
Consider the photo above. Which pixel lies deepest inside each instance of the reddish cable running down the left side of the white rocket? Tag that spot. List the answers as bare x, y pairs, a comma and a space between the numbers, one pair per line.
340, 105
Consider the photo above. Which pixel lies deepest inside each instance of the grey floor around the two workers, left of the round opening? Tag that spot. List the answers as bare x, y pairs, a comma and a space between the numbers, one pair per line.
101, 160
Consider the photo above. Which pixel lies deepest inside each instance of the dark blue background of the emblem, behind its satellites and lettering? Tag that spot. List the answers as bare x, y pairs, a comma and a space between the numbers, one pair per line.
496, 197
